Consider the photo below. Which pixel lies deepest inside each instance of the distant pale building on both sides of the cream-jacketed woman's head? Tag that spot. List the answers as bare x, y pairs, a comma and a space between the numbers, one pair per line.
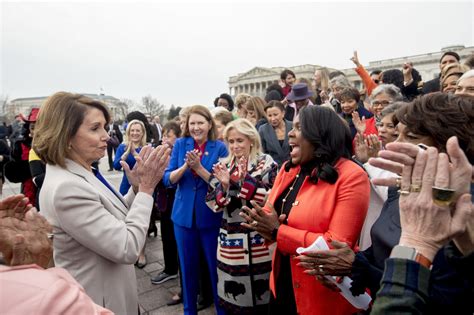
24, 105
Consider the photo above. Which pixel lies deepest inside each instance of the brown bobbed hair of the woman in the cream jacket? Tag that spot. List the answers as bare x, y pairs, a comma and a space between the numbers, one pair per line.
58, 121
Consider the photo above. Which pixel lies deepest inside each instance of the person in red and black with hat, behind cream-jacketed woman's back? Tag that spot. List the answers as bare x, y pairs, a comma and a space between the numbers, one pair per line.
18, 170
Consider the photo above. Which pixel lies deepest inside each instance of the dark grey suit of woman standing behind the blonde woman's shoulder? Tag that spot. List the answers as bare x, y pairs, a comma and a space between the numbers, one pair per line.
271, 145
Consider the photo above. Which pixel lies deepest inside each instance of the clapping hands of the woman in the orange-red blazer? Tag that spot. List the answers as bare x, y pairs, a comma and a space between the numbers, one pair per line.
261, 221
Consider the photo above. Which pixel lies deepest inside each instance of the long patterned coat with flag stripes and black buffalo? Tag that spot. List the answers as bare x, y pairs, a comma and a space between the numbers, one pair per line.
243, 260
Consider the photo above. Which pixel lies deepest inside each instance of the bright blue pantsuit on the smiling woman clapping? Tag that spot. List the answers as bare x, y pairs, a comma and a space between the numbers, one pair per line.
195, 225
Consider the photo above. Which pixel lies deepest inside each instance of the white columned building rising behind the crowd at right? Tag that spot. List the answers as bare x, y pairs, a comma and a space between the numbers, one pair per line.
256, 80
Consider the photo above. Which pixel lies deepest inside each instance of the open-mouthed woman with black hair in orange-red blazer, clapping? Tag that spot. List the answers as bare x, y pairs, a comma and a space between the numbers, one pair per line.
318, 192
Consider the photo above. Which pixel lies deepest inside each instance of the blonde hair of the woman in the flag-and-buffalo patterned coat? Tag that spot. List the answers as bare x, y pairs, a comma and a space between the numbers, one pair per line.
245, 127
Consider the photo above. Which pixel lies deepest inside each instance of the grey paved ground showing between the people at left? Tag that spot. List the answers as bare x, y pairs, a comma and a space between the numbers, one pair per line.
152, 298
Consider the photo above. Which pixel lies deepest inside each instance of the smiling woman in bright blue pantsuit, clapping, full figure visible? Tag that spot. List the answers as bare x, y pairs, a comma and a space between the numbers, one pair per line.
195, 225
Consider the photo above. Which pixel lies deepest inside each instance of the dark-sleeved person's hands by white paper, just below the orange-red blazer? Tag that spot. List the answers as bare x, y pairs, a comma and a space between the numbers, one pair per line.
334, 262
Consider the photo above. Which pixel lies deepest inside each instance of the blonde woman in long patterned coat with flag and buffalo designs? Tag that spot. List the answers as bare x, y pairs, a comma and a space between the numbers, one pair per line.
243, 261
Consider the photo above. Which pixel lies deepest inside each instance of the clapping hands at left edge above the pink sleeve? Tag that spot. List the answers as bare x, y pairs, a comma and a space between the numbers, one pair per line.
24, 233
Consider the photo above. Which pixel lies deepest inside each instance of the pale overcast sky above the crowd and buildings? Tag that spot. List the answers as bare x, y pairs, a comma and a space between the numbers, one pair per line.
184, 54
